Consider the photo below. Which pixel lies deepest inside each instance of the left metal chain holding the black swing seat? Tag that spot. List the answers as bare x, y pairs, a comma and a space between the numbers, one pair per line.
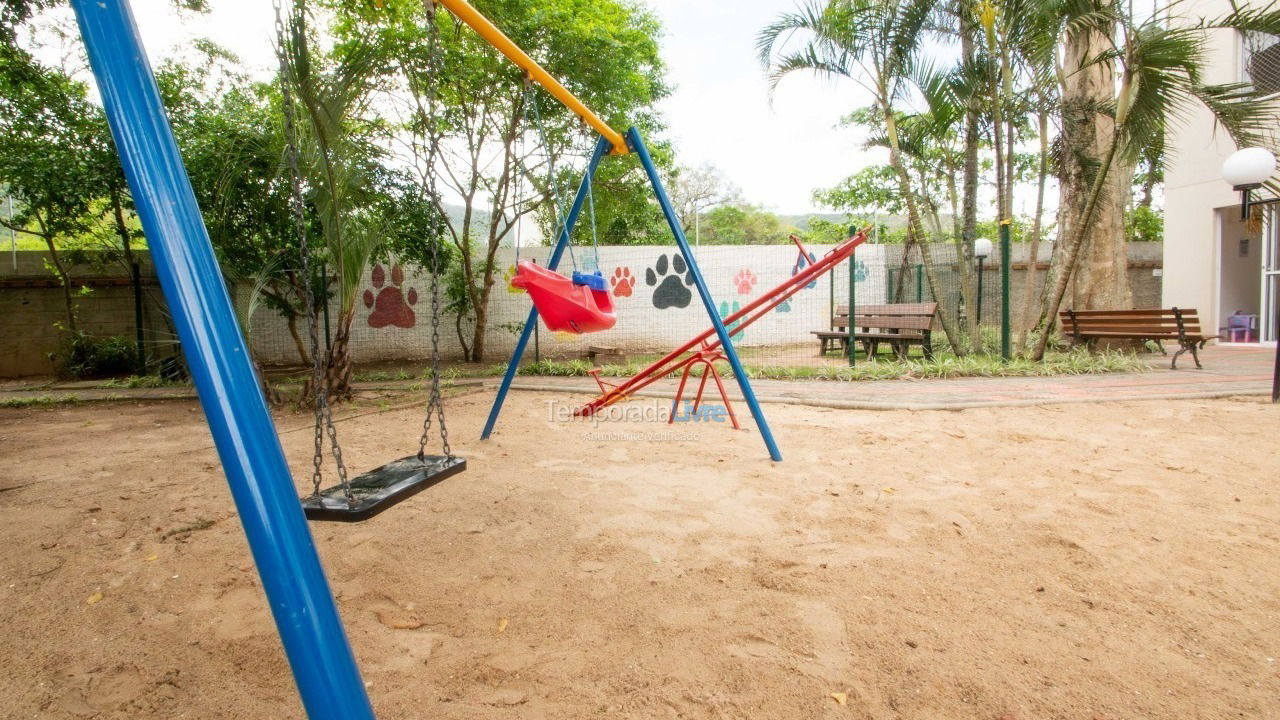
323, 413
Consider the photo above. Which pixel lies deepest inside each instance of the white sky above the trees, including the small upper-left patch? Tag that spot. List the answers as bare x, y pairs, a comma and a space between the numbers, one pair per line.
720, 112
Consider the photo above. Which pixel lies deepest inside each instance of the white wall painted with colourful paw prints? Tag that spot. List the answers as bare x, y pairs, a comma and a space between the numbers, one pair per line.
735, 275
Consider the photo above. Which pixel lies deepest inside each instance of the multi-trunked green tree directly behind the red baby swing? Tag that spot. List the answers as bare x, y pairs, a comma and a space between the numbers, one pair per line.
473, 106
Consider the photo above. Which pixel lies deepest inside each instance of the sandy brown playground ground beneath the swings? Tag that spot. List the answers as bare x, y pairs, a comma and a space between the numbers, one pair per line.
1075, 562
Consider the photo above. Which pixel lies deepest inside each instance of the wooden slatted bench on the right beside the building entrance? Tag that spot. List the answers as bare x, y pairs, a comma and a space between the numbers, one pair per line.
1086, 327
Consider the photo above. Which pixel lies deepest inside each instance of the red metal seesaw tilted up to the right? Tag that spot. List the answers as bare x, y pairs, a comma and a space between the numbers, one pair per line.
703, 349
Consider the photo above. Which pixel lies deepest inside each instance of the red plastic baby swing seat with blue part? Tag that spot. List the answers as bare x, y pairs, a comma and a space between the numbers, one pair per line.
578, 306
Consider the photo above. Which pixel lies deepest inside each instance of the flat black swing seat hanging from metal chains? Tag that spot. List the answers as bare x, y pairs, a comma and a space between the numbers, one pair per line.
381, 489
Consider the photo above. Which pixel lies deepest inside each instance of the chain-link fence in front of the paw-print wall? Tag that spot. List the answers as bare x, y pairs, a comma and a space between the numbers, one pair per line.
659, 307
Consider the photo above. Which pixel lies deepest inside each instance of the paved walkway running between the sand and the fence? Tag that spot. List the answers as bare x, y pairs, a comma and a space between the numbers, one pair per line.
1228, 372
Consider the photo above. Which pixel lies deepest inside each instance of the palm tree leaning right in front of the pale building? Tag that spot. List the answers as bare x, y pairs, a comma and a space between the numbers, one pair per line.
1160, 78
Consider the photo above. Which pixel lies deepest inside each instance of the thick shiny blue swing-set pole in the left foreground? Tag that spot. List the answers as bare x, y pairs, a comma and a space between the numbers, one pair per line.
262, 486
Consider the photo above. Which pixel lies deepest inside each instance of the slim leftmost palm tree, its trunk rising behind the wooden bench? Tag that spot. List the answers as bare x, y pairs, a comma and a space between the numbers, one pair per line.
875, 44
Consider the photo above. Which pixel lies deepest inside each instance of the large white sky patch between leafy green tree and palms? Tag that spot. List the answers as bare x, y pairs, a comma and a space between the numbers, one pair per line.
720, 112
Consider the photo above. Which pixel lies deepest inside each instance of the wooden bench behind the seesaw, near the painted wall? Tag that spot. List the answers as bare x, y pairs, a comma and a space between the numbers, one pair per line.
900, 326
